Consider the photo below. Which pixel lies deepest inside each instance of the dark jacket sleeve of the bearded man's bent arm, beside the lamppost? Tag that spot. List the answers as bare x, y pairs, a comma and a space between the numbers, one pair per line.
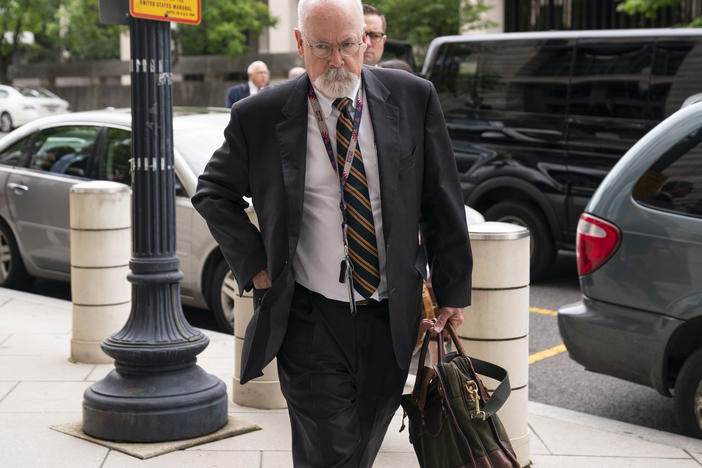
219, 199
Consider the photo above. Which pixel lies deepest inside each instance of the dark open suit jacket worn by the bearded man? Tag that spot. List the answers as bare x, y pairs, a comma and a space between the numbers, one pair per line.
264, 156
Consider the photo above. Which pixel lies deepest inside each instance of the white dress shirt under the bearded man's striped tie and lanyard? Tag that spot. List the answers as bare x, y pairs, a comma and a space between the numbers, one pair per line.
320, 248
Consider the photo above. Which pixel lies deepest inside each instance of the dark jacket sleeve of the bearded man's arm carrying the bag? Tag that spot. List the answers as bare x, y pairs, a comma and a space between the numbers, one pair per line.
443, 220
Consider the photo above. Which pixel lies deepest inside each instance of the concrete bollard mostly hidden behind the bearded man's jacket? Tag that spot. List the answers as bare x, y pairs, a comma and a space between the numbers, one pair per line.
264, 391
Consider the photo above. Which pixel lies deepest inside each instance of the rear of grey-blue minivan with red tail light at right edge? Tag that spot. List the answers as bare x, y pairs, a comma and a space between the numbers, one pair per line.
639, 256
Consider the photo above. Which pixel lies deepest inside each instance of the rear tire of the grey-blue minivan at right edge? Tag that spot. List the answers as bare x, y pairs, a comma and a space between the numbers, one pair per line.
688, 395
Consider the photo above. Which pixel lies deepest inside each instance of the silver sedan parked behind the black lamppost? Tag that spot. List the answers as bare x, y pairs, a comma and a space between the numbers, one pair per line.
40, 161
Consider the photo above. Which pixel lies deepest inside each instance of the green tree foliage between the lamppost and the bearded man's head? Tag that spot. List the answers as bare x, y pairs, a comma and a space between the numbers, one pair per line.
224, 28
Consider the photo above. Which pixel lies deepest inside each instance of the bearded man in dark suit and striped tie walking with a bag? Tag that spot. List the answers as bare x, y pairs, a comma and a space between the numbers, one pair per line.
344, 164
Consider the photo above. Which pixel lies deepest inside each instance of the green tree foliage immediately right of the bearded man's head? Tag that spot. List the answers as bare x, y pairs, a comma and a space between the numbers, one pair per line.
420, 21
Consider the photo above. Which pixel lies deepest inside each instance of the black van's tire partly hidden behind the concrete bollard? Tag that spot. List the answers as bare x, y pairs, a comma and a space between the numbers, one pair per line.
543, 249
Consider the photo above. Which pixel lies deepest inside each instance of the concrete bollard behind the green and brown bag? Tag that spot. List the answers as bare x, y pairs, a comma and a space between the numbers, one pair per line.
496, 326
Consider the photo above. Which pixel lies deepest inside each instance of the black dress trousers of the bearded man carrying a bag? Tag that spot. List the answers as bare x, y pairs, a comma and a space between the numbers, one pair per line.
340, 378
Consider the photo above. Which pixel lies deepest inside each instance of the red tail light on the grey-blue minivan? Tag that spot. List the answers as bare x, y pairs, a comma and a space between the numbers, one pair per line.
596, 242
